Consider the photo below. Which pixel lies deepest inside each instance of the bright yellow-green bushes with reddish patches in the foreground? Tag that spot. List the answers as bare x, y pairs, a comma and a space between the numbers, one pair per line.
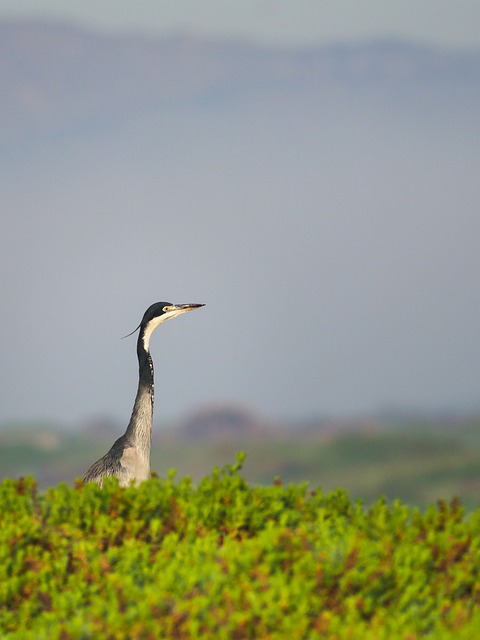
224, 559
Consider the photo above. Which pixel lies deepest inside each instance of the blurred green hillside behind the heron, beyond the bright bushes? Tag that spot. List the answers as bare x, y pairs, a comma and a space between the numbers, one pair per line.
416, 461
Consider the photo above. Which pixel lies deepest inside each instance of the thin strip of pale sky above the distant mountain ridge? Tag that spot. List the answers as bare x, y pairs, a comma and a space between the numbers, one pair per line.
448, 22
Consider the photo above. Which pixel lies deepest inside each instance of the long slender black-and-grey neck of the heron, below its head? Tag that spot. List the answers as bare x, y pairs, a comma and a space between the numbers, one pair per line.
139, 428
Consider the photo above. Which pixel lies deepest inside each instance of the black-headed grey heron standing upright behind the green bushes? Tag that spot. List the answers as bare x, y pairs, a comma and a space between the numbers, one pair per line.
129, 457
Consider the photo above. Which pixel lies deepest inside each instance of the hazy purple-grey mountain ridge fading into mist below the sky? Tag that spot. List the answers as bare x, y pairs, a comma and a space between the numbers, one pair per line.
57, 75
